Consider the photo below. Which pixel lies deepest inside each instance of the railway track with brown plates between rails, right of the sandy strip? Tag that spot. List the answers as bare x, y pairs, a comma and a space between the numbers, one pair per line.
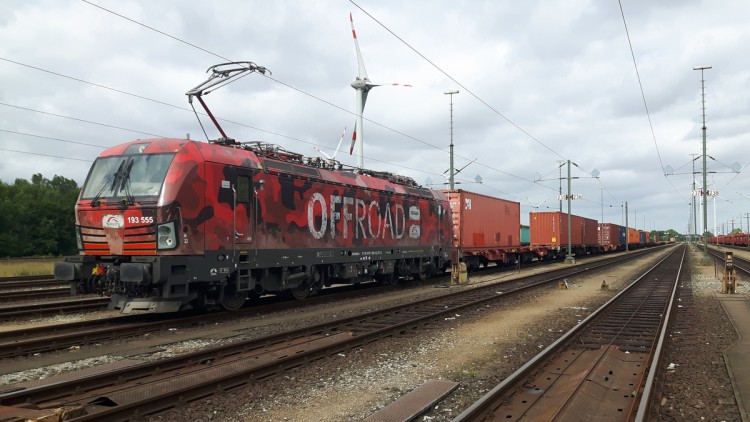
603, 369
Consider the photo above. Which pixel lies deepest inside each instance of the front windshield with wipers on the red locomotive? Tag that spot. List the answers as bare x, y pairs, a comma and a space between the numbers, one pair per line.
126, 176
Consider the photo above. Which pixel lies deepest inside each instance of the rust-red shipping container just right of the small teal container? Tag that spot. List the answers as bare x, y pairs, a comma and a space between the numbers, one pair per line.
551, 229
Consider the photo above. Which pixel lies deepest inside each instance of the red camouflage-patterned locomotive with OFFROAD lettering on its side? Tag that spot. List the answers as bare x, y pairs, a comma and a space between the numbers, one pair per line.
168, 224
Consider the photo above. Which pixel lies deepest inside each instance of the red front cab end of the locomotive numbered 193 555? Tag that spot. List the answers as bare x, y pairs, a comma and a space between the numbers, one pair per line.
129, 227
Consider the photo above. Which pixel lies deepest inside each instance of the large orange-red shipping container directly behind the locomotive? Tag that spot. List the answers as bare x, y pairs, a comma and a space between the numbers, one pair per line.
484, 222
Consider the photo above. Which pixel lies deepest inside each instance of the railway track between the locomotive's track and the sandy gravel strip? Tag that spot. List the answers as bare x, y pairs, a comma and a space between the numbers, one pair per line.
147, 388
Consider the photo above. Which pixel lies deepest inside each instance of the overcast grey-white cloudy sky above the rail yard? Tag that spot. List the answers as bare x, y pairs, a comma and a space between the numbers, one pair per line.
539, 82
